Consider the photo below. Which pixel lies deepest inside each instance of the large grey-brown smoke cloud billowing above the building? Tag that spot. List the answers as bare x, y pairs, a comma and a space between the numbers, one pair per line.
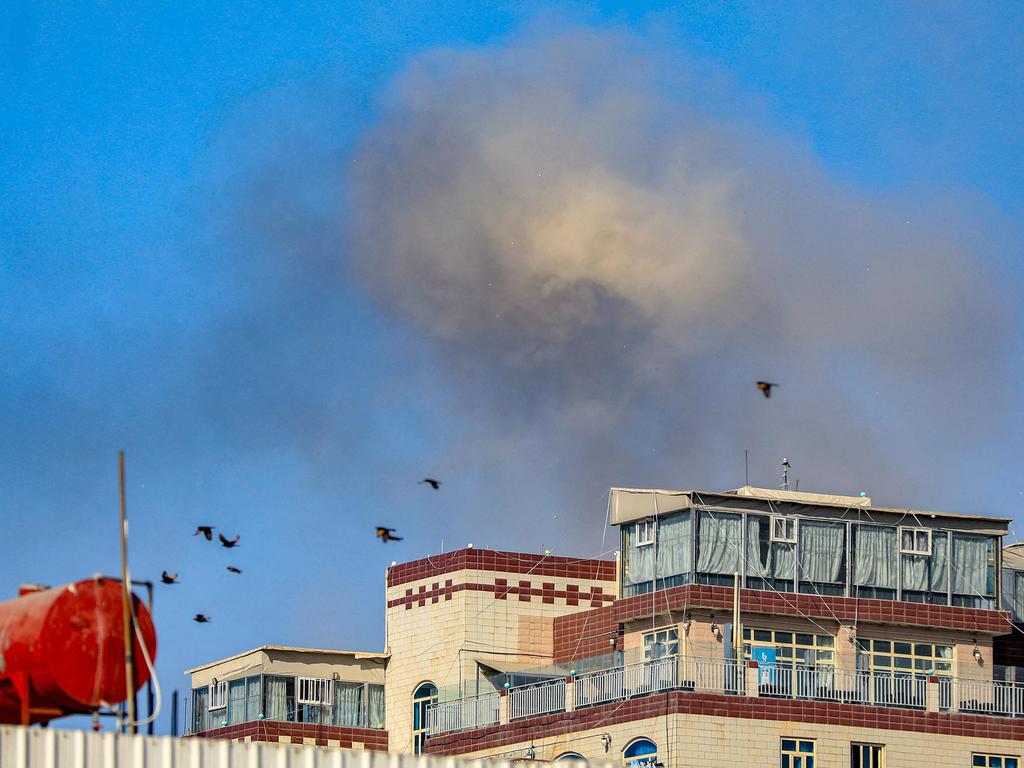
608, 253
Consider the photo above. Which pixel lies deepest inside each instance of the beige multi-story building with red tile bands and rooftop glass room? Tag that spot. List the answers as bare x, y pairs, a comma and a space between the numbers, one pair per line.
753, 627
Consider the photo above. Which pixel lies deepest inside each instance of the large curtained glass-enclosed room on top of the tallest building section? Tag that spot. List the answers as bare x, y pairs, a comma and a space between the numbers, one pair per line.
807, 543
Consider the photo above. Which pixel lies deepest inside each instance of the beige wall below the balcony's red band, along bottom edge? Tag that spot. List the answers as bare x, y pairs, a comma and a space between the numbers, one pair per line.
686, 741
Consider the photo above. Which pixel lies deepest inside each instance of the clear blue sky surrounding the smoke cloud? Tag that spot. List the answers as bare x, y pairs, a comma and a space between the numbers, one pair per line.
148, 303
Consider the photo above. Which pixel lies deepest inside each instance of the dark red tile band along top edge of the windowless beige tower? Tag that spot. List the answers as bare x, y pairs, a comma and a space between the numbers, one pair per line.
504, 563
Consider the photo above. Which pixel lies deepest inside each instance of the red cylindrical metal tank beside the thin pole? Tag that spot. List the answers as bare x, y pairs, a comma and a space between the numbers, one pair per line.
65, 649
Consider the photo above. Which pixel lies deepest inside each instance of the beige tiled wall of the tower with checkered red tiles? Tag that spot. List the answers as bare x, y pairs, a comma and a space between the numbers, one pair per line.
443, 642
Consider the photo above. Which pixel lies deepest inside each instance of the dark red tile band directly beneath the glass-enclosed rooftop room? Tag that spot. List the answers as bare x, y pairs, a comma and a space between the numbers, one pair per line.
586, 633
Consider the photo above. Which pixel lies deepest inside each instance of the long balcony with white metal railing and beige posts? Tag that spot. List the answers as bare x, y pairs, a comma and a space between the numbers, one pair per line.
908, 692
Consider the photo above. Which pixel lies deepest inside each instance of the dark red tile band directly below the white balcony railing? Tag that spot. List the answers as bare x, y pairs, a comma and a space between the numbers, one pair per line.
831, 713
